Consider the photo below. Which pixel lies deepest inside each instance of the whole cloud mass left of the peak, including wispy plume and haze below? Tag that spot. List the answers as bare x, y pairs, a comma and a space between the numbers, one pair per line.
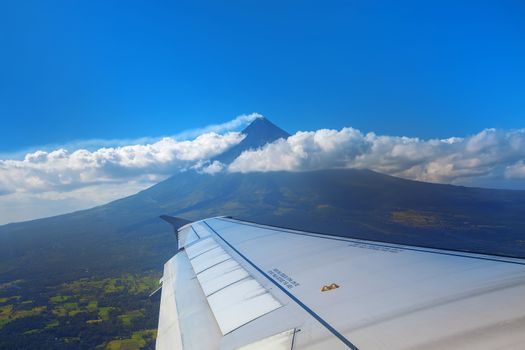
49, 182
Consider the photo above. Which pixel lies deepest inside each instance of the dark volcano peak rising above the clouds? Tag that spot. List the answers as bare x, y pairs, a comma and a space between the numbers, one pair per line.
260, 132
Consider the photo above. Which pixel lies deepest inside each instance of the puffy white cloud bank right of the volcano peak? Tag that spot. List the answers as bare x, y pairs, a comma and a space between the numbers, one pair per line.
488, 154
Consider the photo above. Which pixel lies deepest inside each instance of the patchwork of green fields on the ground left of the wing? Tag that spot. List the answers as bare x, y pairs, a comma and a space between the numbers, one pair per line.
104, 313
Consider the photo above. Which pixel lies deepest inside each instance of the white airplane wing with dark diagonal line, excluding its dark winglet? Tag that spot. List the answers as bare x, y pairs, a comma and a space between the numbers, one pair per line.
241, 285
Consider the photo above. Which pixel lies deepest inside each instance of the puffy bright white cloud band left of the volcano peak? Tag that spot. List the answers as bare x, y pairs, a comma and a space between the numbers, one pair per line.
61, 170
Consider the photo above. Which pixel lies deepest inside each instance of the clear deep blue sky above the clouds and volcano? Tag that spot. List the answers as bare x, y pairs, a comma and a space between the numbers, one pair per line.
73, 70
